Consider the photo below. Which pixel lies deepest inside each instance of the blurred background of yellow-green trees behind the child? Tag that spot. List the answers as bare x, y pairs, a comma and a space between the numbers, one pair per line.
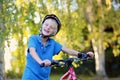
87, 25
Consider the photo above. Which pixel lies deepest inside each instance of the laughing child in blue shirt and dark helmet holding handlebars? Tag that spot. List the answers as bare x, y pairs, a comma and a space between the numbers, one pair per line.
41, 49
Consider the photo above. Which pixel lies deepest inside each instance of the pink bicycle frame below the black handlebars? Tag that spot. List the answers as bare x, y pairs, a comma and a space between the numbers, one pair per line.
69, 75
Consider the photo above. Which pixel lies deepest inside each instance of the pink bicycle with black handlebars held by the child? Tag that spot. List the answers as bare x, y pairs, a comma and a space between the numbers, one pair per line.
70, 74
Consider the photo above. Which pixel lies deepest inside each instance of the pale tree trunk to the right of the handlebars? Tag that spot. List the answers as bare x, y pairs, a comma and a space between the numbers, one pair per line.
97, 39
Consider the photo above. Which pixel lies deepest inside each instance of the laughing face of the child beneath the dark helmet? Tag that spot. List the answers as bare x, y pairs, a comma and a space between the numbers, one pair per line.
49, 27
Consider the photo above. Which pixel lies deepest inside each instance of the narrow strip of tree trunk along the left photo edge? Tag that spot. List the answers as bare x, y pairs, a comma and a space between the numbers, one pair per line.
2, 77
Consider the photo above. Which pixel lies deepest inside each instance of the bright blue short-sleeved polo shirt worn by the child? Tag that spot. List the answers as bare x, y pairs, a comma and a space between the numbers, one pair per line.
33, 71
